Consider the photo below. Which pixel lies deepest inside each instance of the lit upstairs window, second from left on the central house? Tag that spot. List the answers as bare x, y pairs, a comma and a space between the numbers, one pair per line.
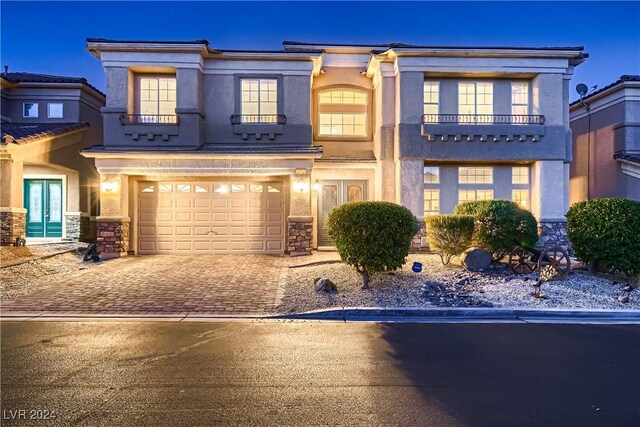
259, 101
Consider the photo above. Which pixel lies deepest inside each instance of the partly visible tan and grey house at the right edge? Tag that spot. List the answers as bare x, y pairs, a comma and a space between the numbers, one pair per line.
606, 142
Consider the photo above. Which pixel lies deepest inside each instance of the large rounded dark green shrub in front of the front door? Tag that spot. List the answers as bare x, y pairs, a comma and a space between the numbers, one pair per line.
372, 236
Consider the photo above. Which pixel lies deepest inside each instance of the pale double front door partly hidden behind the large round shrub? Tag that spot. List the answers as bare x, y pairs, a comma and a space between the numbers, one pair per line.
333, 194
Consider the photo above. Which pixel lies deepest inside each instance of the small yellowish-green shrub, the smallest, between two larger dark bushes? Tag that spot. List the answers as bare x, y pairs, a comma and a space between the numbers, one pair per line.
449, 235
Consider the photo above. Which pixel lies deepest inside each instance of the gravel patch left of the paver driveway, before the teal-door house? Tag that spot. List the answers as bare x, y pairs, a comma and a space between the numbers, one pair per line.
24, 278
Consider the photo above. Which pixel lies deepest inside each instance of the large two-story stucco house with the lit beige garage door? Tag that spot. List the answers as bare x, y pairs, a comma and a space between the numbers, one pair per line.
211, 150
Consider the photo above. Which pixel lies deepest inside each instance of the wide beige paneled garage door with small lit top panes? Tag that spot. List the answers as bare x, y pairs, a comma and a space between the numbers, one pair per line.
206, 217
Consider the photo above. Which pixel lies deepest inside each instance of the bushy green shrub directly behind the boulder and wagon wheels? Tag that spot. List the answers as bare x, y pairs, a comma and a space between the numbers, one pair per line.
498, 223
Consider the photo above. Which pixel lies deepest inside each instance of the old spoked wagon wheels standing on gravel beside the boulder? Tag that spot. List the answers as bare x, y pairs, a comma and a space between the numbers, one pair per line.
524, 260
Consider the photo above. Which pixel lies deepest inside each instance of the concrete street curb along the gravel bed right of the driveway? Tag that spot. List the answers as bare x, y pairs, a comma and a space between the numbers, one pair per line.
359, 314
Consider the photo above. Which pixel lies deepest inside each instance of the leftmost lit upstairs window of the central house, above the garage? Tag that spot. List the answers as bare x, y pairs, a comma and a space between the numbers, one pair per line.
157, 99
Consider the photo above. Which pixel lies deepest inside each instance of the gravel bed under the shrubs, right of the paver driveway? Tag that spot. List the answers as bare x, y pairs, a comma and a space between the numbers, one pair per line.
446, 286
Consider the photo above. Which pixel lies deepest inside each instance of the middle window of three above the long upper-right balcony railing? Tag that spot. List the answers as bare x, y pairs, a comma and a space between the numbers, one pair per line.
475, 102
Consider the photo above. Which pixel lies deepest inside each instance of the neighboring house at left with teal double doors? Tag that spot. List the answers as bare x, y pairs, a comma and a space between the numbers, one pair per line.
49, 191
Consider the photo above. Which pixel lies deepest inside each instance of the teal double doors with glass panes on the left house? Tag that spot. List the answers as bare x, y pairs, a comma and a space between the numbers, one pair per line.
43, 200
